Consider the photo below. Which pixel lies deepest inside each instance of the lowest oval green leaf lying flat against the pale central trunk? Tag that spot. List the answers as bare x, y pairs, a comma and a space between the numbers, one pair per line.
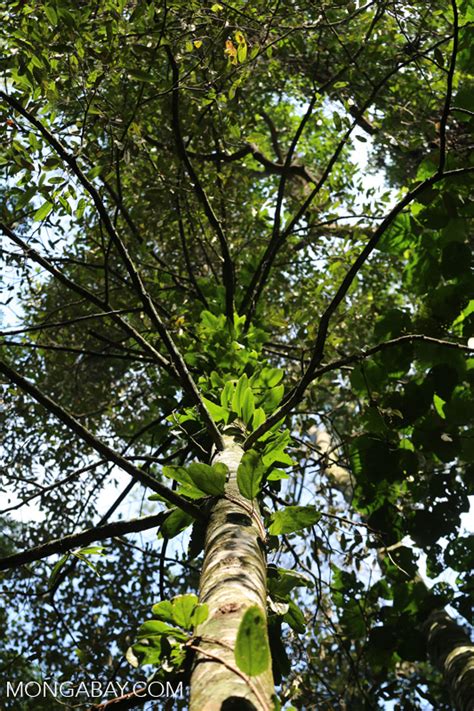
252, 651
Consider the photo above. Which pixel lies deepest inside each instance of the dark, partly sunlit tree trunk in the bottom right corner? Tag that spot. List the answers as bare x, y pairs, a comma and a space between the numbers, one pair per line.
452, 652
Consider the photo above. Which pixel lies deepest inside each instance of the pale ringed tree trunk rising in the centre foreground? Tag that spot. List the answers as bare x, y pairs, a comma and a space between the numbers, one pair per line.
233, 578
